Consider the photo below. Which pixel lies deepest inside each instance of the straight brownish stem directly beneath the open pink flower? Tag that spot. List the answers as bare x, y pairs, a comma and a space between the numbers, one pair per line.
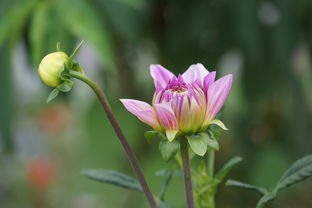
187, 174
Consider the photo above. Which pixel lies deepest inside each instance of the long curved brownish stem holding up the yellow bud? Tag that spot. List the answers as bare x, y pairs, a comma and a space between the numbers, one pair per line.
131, 156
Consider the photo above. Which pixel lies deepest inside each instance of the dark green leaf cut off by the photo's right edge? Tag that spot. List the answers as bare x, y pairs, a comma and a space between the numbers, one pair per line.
299, 171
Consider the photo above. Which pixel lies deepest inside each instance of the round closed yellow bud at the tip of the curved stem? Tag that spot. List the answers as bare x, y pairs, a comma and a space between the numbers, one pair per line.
51, 67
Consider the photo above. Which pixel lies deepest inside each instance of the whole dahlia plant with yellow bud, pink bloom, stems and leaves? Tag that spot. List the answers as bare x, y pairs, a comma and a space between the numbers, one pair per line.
185, 118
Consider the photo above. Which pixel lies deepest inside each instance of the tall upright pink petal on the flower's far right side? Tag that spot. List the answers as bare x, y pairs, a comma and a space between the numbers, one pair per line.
217, 94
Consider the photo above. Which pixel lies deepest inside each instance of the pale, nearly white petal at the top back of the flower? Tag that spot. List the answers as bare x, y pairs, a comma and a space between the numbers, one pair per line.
195, 72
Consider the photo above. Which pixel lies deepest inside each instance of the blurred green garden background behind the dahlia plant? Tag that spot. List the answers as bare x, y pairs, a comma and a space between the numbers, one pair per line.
265, 44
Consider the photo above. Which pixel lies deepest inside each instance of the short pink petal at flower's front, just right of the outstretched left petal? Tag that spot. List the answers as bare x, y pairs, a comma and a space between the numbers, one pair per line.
166, 116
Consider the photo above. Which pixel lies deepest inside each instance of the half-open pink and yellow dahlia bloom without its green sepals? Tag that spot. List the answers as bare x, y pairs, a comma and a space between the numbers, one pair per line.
185, 104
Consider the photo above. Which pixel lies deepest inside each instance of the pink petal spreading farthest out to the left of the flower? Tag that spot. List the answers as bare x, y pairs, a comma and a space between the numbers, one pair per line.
143, 111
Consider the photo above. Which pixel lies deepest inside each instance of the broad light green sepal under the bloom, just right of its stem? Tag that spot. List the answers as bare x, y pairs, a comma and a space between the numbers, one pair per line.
198, 143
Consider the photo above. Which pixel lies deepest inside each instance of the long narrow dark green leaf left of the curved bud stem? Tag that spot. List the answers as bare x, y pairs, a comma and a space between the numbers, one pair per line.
112, 177
